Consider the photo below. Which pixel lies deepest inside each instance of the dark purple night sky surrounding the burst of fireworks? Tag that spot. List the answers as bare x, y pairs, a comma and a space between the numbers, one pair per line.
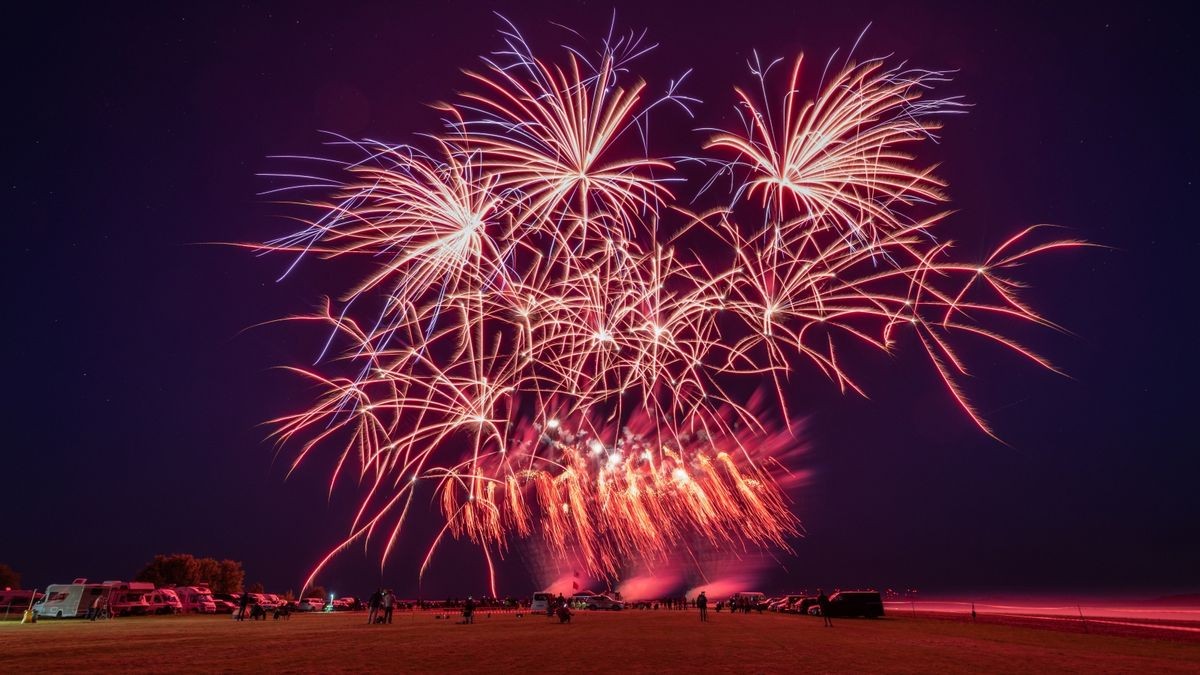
137, 386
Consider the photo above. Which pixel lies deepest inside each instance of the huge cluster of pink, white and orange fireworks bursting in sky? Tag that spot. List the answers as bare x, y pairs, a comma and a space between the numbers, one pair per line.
530, 341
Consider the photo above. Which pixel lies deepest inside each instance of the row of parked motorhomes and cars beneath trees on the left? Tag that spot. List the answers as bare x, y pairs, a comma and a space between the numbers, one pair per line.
141, 599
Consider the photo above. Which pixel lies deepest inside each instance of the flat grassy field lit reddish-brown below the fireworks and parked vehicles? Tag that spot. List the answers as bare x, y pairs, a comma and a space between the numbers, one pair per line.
629, 642
